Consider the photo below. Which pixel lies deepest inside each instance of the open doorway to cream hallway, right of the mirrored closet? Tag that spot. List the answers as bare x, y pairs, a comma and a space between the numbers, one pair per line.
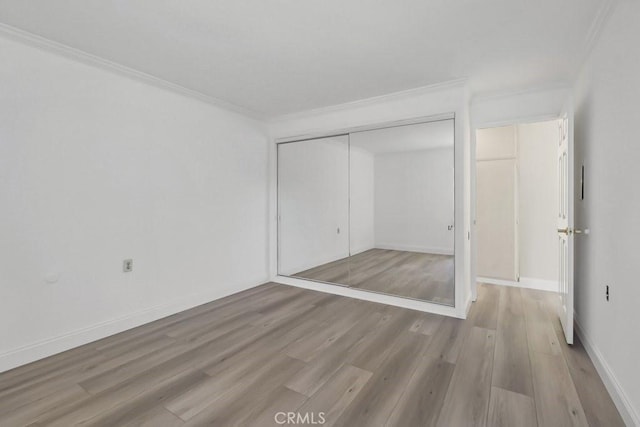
517, 205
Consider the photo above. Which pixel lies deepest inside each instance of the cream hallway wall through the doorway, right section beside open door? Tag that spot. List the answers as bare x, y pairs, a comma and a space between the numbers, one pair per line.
538, 200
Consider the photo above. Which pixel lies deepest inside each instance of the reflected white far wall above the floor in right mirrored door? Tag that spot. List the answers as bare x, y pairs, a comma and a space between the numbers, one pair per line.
414, 201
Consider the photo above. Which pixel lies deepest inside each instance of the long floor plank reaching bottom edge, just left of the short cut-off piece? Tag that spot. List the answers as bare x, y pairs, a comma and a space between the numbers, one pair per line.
467, 399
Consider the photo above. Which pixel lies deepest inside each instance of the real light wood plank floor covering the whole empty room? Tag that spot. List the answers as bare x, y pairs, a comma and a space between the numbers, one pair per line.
240, 360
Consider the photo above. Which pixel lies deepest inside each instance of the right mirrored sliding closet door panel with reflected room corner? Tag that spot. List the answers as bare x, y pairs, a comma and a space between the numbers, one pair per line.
402, 211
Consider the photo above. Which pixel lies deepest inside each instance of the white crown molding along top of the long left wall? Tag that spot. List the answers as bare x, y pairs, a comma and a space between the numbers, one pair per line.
69, 52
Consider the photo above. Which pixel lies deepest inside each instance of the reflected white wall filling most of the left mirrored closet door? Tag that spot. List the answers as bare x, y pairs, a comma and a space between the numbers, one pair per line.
313, 202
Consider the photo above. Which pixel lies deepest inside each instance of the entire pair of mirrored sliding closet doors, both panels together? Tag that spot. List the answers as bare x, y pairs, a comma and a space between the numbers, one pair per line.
394, 234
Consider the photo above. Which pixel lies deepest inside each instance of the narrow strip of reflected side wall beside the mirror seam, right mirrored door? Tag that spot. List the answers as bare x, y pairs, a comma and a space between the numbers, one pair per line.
361, 181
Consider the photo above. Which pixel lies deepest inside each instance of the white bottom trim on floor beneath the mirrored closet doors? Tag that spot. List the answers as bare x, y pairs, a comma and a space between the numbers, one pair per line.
413, 304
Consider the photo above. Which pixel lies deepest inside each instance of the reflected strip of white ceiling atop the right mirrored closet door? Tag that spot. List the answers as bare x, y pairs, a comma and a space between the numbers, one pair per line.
417, 137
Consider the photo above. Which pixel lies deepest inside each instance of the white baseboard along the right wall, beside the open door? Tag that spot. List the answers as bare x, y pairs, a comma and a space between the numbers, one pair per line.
619, 397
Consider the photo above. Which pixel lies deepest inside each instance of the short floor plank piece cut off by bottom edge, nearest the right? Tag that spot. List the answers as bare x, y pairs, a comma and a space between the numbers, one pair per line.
509, 409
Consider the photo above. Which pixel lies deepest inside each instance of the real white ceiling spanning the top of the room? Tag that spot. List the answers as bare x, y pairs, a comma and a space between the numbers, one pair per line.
281, 56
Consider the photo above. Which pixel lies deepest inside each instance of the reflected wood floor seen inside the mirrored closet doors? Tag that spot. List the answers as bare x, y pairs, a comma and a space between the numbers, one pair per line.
417, 275
